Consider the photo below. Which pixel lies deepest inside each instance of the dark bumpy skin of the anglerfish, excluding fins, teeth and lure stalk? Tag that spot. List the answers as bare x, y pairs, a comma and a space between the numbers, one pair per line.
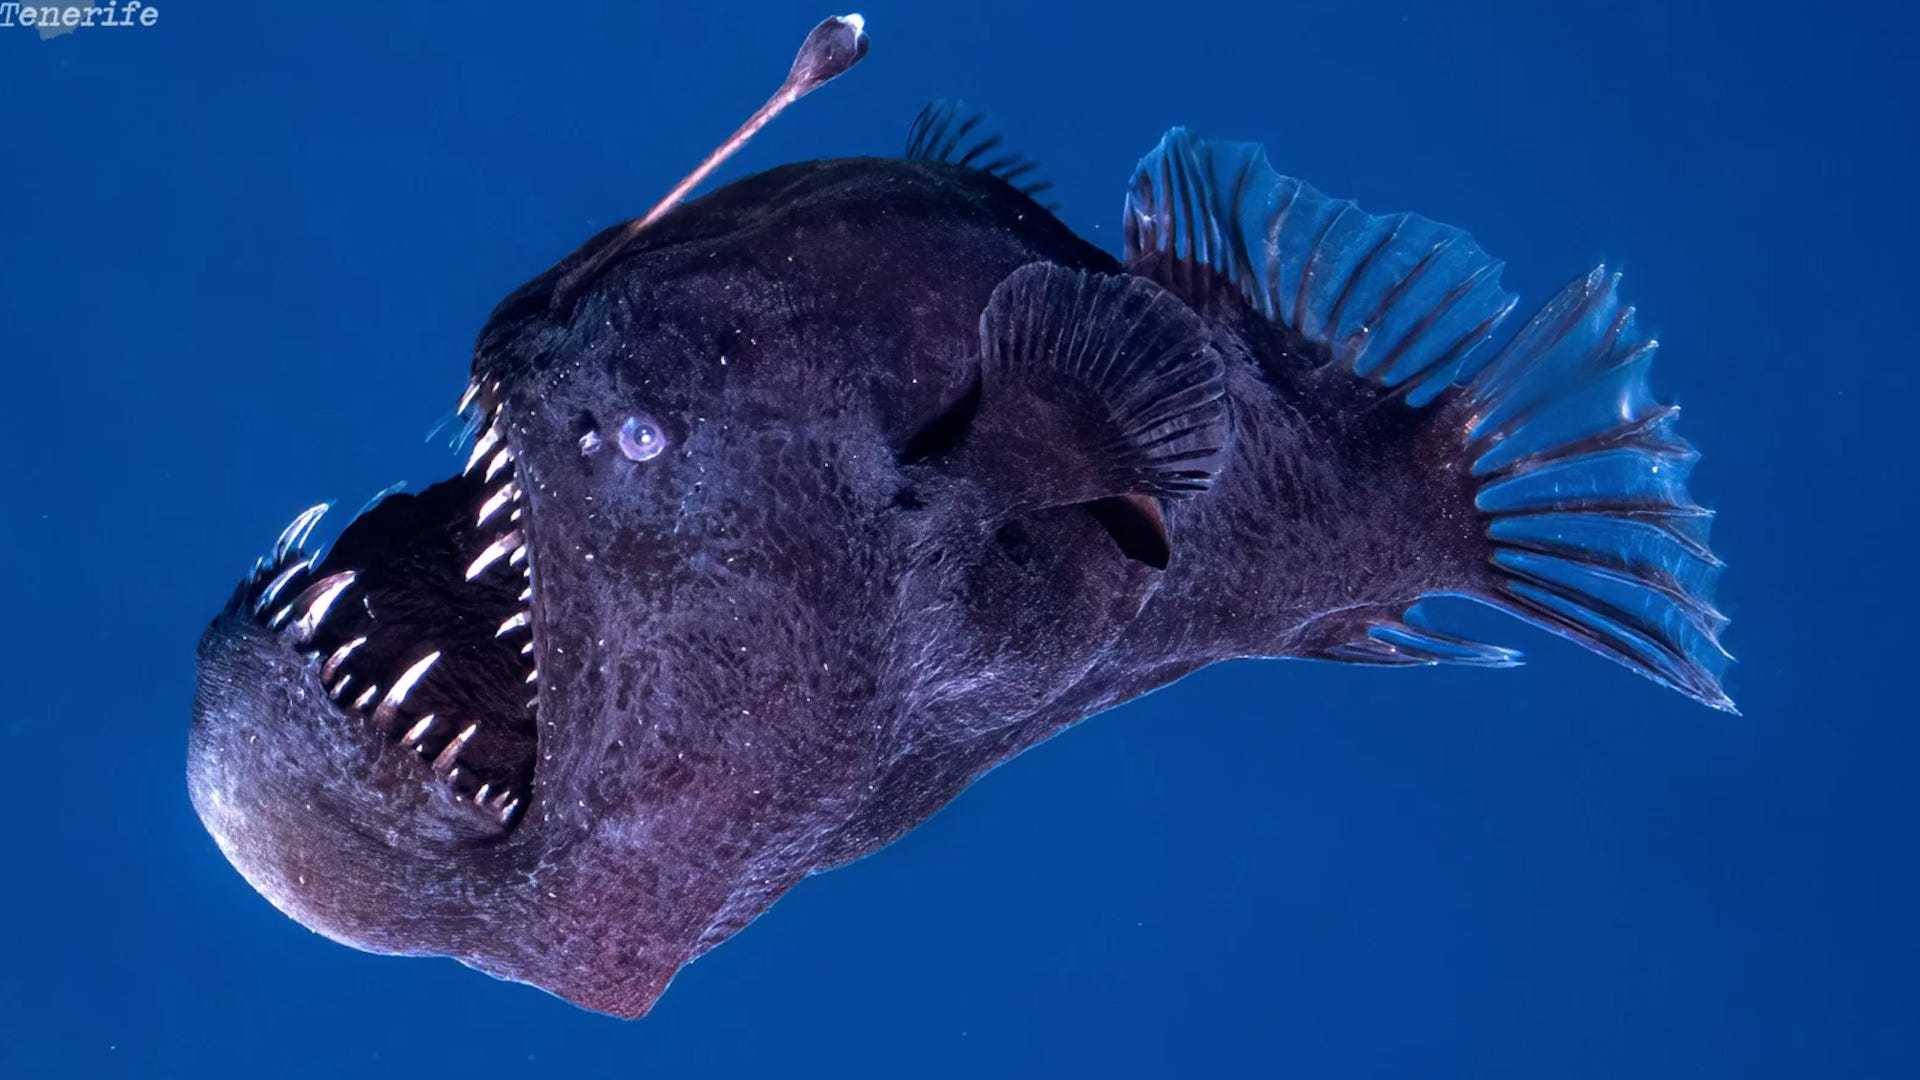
788, 637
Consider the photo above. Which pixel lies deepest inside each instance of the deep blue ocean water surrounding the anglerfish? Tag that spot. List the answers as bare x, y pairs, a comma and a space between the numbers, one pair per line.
245, 253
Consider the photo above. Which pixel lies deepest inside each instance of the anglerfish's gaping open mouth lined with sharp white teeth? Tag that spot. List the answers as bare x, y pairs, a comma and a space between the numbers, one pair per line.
420, 620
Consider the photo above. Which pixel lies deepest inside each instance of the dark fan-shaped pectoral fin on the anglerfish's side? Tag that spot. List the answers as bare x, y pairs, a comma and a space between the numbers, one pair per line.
1093, 387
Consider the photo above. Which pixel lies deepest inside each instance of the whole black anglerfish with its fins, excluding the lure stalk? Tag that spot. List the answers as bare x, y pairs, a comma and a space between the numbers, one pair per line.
796, 512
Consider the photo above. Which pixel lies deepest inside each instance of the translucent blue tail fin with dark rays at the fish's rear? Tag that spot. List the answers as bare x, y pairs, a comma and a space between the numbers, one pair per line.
1583, 479
